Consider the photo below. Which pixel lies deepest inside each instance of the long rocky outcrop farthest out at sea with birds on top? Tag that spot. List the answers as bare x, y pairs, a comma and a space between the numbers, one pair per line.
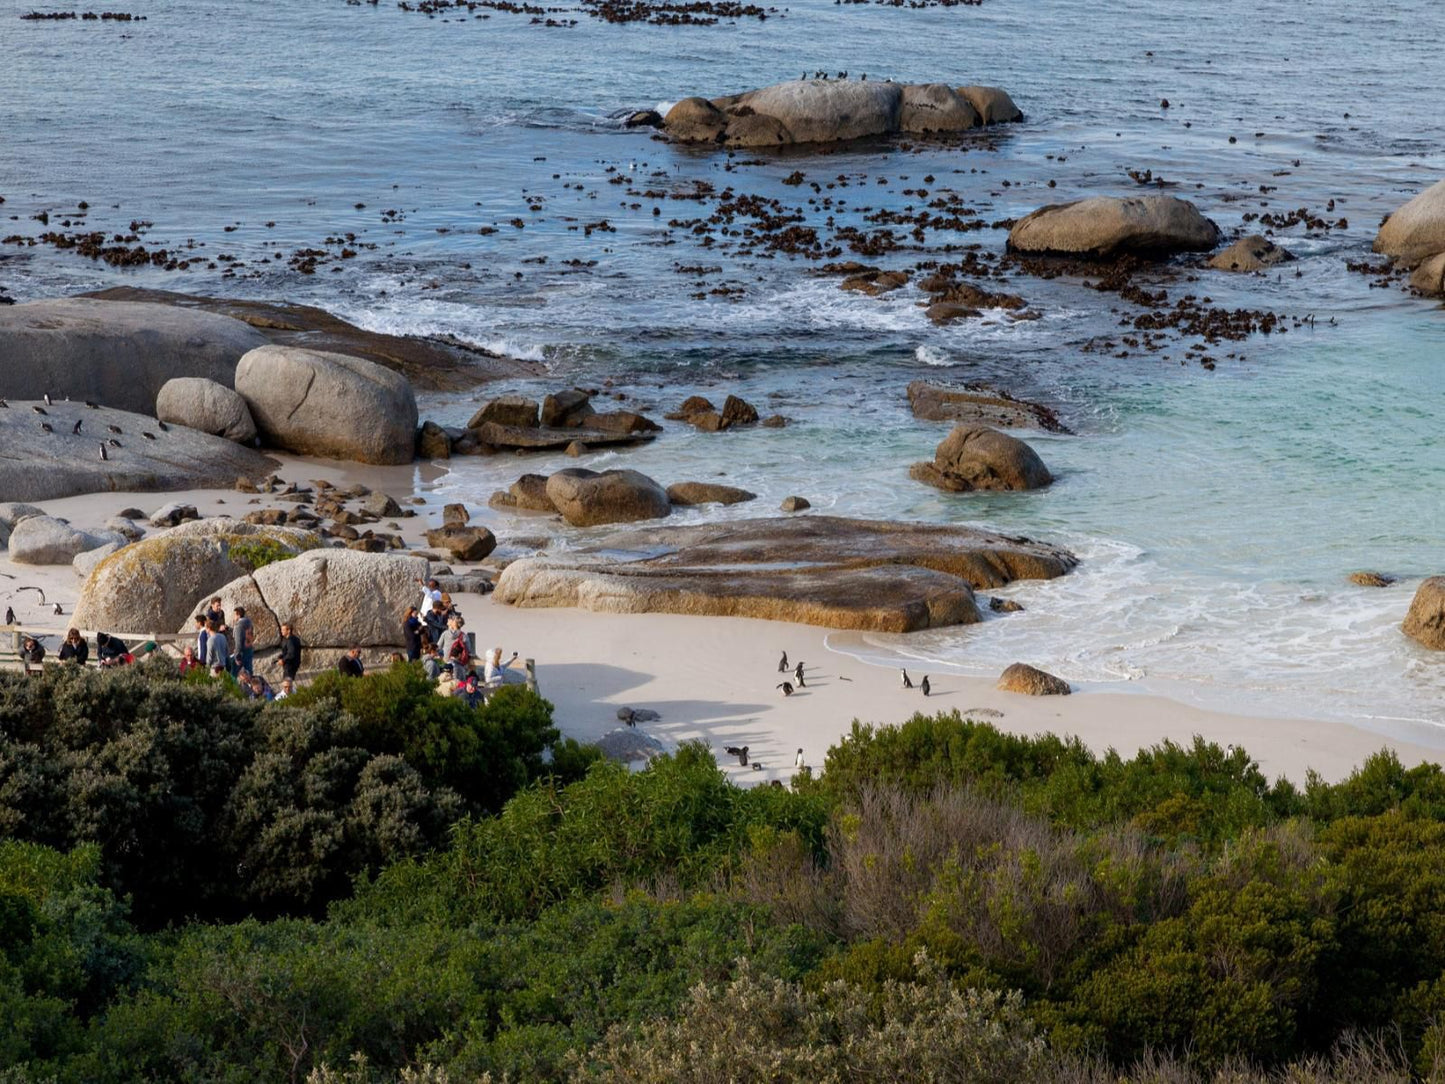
833, 112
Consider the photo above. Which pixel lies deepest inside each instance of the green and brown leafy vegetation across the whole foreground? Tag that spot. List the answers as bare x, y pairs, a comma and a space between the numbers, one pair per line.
401, 888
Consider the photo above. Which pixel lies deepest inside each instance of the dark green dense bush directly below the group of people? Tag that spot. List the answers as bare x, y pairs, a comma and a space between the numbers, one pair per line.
206, 804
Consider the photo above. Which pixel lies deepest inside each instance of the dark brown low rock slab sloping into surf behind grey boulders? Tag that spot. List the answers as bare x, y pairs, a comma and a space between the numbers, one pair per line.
434, 365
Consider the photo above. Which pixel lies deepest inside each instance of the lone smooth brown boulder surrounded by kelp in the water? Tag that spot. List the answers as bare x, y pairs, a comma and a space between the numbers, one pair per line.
1106, 226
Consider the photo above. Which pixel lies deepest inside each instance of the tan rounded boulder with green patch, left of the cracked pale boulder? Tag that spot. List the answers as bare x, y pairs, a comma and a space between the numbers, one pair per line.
152, 586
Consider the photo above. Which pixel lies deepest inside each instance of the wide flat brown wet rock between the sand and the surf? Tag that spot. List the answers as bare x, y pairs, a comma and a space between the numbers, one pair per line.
814, 570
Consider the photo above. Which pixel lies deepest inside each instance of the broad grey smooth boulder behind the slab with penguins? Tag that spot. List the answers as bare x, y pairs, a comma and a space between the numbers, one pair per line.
116, 353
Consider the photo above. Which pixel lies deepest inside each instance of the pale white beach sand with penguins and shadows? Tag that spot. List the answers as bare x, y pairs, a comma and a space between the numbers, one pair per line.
715, 679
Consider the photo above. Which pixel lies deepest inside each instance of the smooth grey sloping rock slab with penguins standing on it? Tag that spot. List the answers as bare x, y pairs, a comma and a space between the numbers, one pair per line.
46, 466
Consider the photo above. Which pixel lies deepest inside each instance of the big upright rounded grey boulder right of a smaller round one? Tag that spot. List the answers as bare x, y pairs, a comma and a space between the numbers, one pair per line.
329, 405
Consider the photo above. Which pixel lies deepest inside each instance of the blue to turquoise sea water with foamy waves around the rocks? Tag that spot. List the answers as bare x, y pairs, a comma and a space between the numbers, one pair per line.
1219, 512
